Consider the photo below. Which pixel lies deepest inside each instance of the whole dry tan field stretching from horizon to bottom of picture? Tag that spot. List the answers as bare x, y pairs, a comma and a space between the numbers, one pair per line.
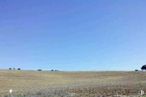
72, 84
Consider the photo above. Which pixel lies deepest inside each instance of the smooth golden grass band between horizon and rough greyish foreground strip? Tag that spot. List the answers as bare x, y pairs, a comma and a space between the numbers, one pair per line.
21, 81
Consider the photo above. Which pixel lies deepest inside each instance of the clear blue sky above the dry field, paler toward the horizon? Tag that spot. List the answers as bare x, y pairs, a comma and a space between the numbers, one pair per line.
73, 34
